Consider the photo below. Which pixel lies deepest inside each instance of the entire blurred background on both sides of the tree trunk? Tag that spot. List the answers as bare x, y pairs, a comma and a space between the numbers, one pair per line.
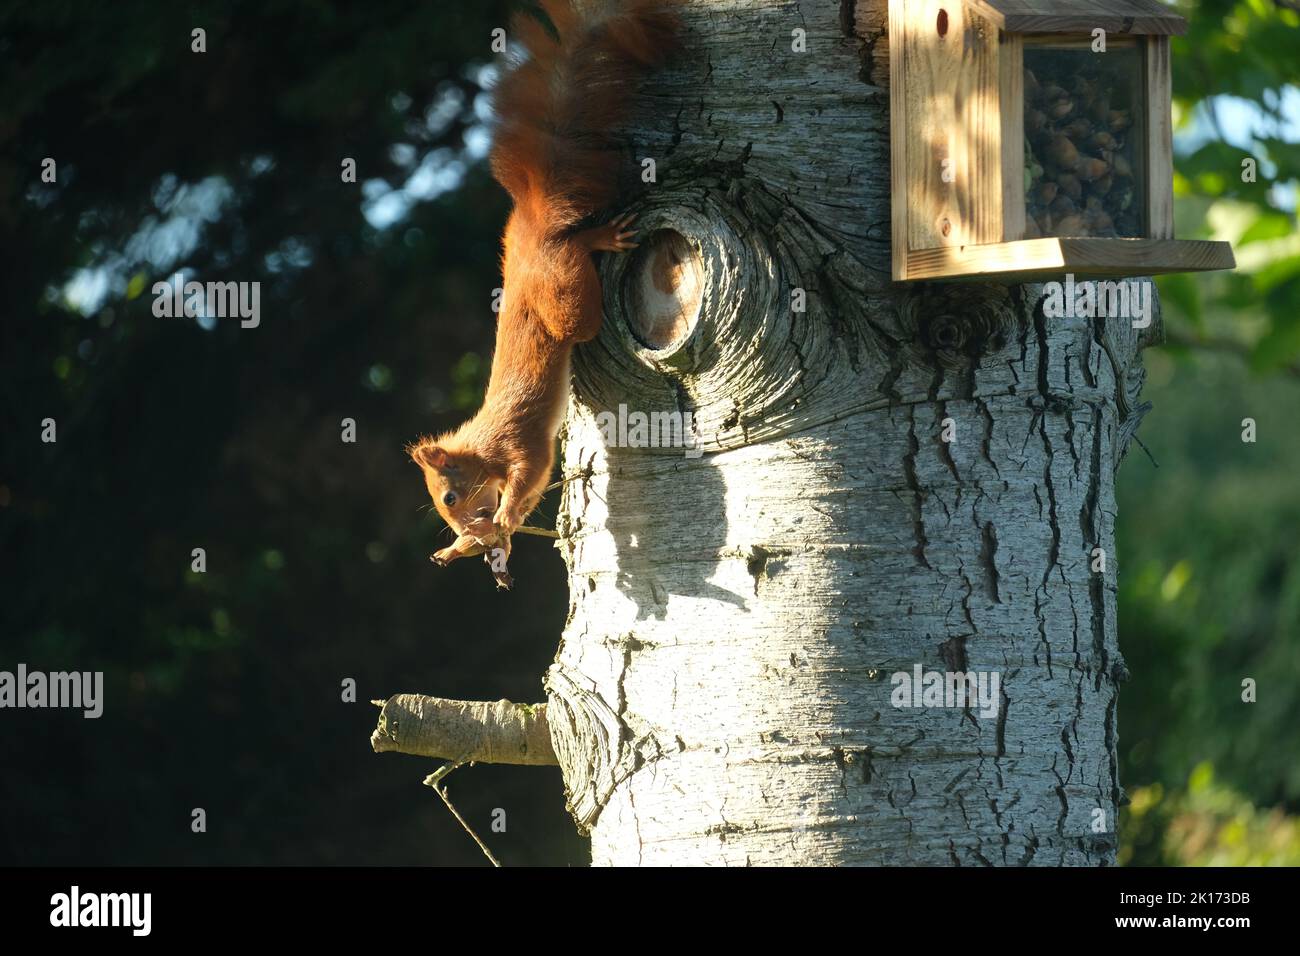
224, 689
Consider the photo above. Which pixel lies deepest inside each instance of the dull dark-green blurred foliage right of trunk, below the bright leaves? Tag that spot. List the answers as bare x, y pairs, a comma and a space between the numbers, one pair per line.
1210, 583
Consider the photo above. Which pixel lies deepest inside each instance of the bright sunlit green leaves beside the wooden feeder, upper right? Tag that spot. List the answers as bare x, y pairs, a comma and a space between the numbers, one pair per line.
1246, 51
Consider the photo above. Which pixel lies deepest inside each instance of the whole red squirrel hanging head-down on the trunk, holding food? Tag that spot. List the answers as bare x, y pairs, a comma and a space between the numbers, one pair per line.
553, 154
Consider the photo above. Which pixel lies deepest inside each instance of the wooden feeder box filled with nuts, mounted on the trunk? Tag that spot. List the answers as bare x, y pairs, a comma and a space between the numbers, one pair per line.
1028, 145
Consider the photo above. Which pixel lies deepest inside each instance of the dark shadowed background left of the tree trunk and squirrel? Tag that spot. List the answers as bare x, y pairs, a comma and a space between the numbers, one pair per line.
224, 689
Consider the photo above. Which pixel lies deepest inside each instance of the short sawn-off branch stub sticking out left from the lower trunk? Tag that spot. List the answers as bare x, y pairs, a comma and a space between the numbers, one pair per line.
465, 732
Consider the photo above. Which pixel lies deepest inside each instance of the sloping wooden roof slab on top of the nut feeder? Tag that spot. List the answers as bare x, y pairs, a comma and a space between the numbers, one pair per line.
1077, 16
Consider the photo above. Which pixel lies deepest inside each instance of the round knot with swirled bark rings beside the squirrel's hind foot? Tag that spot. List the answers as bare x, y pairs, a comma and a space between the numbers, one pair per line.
697, 318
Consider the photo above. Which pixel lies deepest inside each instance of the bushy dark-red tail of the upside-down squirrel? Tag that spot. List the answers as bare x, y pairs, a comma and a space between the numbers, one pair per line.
557, 107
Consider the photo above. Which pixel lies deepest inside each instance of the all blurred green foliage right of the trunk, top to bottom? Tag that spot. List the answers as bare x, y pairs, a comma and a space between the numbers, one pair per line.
1210, 585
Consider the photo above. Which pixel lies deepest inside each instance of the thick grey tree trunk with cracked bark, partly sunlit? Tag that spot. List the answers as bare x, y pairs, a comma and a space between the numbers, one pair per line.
723, 691
